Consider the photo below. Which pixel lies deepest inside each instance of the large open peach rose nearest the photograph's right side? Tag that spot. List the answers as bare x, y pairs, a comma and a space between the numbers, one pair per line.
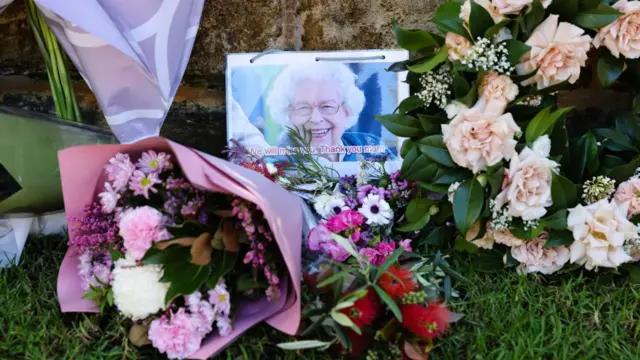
477, 139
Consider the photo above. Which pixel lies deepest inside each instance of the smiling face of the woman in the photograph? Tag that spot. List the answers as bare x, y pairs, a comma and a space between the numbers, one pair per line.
318, 107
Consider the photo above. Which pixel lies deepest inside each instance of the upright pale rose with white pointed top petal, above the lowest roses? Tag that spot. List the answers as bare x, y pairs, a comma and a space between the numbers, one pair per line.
527, 187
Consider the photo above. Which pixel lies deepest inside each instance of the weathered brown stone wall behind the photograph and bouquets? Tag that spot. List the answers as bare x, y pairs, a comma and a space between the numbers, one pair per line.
197, 117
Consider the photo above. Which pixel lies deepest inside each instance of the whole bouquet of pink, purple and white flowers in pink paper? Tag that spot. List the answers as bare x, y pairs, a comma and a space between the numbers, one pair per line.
193, 249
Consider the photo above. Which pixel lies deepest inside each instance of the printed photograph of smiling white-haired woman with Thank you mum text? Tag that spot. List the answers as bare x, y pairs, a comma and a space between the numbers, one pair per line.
333, 103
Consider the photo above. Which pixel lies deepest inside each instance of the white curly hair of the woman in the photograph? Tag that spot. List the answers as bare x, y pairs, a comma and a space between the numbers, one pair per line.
283, 90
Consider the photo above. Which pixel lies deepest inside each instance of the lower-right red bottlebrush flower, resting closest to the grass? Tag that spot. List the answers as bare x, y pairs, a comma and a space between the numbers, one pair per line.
426, 322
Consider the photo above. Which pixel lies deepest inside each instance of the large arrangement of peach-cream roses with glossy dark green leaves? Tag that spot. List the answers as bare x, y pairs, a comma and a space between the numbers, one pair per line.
506, 168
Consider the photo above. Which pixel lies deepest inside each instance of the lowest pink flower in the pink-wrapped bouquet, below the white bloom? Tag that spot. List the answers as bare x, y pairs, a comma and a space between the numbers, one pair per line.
178, 337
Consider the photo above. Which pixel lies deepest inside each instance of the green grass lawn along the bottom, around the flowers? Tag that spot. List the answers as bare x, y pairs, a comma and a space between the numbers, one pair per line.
507, 316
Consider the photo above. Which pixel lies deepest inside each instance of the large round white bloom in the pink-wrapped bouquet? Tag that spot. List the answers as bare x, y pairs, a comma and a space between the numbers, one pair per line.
137, 290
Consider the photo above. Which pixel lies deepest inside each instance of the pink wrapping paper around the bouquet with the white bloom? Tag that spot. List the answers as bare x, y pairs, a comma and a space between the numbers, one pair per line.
81, 168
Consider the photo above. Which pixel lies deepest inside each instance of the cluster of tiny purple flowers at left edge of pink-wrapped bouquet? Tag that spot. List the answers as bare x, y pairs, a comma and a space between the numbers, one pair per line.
96, 230
